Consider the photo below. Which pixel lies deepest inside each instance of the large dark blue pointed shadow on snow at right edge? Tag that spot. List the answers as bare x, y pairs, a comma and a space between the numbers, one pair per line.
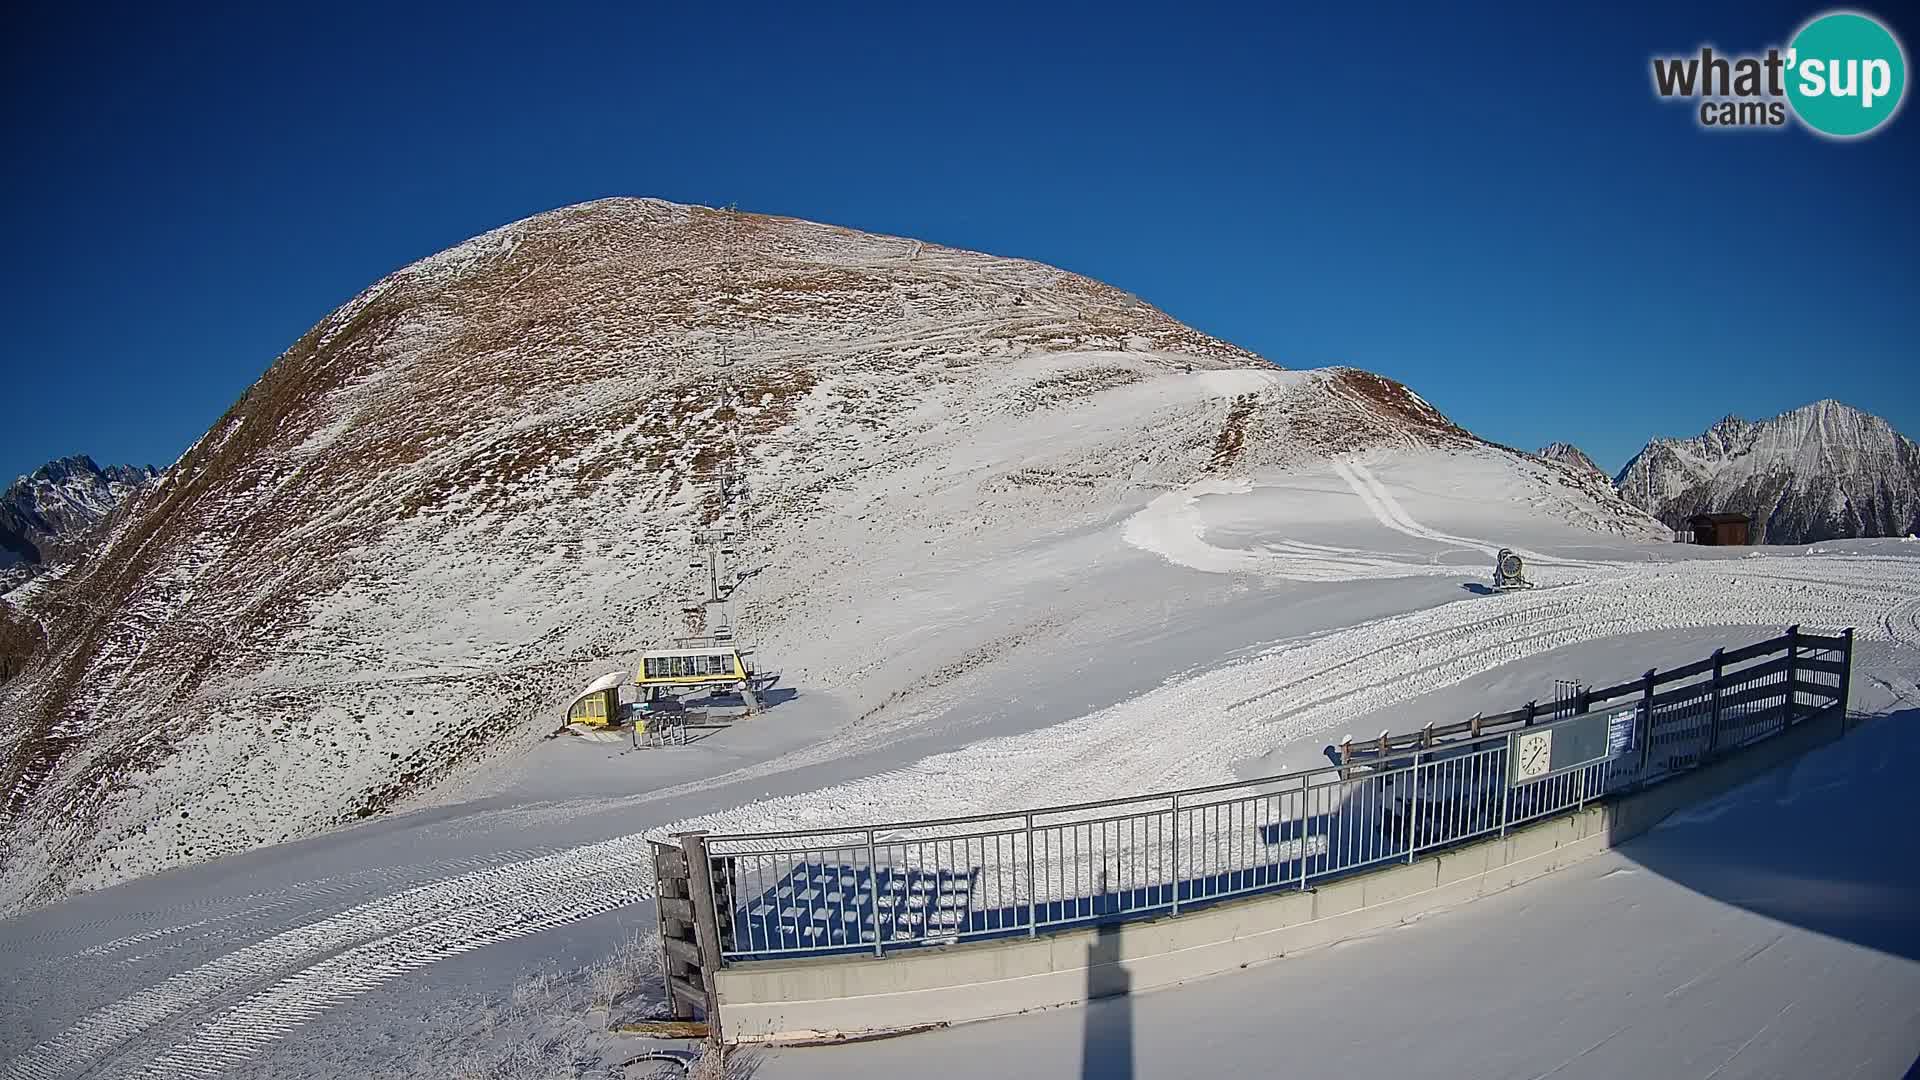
1823, 843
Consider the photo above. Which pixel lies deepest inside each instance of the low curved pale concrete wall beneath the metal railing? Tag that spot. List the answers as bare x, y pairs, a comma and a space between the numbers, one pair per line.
852, 996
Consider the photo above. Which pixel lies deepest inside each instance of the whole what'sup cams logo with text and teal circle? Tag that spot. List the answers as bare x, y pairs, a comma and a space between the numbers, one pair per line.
1842, 76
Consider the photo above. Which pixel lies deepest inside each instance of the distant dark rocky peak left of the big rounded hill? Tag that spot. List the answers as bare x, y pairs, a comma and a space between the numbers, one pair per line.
51, 512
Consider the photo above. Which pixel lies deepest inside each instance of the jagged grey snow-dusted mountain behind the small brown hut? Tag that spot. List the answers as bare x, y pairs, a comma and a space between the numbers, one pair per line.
1817, 474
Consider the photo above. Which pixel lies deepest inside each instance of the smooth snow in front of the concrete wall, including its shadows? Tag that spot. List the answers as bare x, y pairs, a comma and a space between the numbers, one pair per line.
1767, 935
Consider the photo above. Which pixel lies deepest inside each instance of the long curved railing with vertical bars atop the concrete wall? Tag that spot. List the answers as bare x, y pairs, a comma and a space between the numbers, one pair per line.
924, 883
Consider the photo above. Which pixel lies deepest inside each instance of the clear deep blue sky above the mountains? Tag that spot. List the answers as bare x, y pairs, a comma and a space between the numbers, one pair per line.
1487, 205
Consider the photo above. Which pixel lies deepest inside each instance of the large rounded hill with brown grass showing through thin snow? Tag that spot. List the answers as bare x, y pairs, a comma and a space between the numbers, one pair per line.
477, 485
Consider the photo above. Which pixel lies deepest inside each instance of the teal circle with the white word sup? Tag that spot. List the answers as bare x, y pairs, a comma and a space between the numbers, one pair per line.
1846, 74
